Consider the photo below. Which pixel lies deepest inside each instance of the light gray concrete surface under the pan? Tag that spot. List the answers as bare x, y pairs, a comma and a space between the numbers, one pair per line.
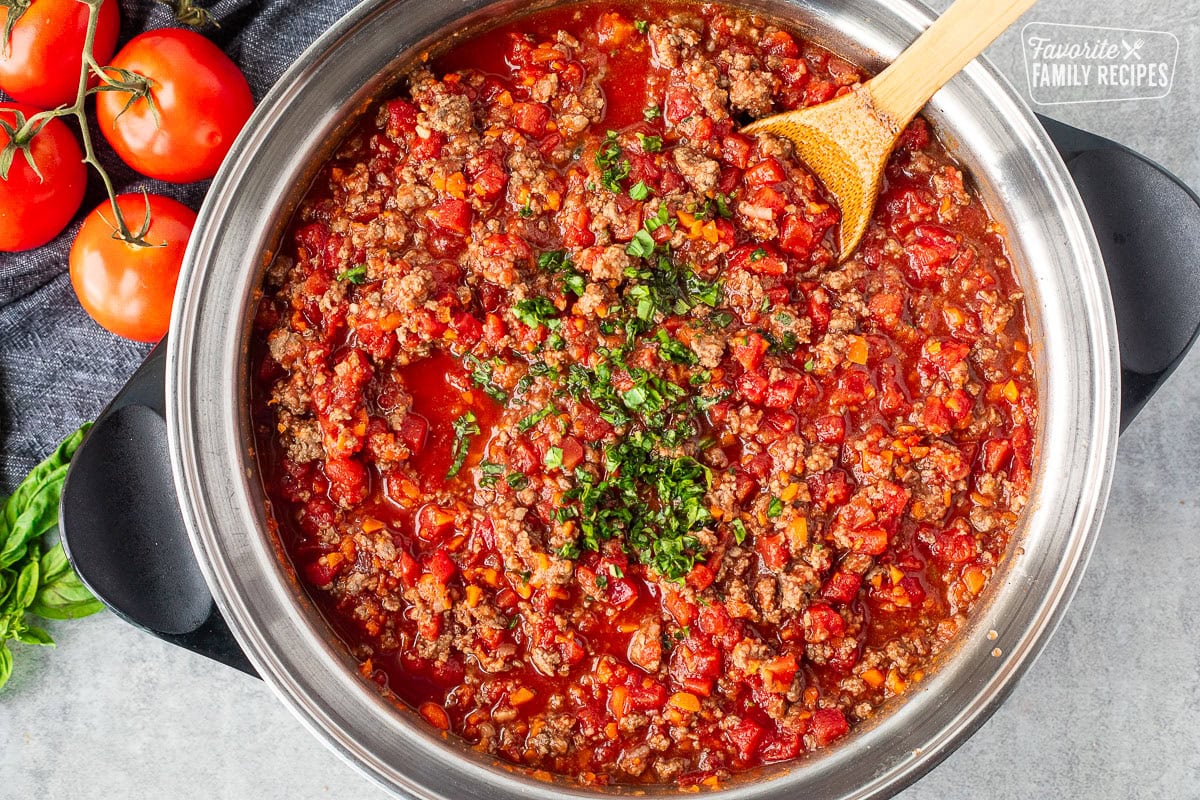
1109, 712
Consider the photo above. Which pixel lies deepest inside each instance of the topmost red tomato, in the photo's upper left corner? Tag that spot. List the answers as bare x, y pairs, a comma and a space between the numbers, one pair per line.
43, 65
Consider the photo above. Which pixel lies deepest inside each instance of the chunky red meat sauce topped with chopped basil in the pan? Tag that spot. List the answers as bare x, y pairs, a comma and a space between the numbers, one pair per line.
581, 438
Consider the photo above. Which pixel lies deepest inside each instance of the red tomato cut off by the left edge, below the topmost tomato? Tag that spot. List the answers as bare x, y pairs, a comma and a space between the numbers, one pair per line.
34, 210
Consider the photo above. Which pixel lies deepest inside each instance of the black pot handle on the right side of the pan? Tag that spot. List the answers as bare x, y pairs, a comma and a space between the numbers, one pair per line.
1148, 224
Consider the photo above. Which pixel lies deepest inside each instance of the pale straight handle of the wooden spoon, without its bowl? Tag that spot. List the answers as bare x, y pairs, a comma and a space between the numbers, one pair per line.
946, 47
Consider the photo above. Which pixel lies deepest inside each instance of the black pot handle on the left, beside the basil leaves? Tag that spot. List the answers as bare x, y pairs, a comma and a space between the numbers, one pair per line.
123, 531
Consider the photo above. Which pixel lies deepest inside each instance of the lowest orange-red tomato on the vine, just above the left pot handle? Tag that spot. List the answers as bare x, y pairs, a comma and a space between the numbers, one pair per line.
129, 288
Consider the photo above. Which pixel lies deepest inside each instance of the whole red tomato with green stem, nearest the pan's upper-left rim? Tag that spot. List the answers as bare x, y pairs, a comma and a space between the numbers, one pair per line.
203, 100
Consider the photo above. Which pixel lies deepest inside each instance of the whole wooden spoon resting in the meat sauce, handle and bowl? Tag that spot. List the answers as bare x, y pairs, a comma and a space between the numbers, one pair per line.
848, 141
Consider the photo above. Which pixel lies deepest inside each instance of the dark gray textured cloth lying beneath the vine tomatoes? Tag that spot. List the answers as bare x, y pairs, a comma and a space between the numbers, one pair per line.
58, 369
